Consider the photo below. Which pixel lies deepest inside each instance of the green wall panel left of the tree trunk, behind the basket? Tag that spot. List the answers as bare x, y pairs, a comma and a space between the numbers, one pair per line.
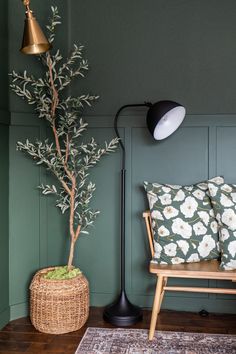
24, 216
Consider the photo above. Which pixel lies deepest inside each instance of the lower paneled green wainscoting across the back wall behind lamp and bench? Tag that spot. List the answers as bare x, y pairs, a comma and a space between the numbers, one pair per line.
192, 154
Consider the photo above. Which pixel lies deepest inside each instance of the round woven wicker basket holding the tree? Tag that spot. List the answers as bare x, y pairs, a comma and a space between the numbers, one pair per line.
58, 306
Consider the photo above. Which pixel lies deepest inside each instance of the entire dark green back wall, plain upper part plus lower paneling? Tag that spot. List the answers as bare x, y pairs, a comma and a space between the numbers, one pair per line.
138, 50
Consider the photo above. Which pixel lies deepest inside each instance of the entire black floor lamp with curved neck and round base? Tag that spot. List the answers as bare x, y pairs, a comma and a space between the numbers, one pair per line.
163, 118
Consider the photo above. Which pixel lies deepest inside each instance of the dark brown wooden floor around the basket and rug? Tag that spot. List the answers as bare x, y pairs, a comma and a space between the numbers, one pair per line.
19, 336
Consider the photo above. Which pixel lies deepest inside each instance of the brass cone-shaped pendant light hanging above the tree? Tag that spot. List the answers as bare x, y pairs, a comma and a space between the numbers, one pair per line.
34, 41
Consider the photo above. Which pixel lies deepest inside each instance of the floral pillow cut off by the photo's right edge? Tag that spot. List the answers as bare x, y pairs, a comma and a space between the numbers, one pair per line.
224, 204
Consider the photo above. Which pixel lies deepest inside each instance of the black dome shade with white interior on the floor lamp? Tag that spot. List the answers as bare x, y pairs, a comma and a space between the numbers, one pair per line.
164, 117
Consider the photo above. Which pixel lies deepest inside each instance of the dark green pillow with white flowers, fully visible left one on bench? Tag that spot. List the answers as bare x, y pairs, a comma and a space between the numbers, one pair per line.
183, 222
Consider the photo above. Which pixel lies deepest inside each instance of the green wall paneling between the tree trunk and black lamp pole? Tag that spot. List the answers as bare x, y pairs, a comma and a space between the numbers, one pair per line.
98, 253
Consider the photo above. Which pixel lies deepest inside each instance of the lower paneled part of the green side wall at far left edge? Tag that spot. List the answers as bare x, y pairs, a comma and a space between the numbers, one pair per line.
4, 242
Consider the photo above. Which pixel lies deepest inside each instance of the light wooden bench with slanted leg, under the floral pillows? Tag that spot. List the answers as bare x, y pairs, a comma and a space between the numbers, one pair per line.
199, 270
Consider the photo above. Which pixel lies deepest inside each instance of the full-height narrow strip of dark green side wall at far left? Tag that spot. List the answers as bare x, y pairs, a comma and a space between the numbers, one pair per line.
4, 169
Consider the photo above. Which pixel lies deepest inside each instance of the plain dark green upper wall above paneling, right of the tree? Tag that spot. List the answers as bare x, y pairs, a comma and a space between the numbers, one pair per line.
157, 49
